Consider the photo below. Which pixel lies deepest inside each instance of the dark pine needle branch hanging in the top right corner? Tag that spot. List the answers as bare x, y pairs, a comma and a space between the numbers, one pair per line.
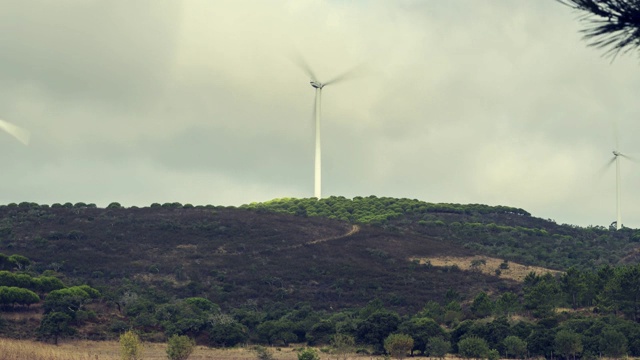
612, 24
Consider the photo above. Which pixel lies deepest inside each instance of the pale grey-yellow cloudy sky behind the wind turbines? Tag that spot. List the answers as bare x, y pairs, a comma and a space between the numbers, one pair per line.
460, 101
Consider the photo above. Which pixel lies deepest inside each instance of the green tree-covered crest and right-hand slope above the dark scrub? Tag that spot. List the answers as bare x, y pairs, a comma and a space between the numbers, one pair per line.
498, 231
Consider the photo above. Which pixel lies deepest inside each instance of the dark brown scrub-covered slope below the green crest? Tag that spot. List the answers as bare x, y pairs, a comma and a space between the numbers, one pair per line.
232, 256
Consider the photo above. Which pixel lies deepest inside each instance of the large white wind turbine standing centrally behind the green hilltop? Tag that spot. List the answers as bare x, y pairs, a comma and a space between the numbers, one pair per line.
317, 109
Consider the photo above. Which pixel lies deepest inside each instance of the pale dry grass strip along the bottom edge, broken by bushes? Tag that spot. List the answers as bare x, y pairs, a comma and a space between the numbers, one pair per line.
109, 350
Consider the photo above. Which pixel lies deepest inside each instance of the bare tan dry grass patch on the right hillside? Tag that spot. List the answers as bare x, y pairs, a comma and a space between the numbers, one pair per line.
515, 271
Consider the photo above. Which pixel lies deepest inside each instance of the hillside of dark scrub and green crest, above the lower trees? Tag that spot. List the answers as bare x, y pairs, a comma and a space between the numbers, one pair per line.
298, 250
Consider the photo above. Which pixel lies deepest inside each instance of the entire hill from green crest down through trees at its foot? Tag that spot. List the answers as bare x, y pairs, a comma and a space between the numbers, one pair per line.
300, 270
